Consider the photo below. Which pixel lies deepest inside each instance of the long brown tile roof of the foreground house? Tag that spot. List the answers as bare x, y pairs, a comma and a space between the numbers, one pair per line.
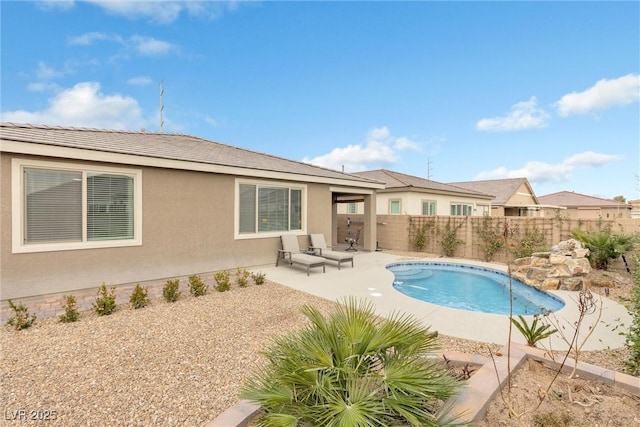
164, 146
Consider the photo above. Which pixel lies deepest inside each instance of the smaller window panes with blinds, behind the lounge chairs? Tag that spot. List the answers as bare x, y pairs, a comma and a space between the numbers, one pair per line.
268, 209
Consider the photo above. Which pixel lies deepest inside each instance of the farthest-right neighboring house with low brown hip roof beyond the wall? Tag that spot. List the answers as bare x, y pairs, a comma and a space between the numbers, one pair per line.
581, 206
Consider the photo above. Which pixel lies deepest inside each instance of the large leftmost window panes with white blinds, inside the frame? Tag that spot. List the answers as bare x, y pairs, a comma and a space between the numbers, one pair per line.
55, 200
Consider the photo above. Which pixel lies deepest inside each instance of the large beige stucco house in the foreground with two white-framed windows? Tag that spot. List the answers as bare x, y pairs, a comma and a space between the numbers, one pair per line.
80, 207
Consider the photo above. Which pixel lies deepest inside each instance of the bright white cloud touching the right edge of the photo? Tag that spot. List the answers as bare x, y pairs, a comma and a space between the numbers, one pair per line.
604, 94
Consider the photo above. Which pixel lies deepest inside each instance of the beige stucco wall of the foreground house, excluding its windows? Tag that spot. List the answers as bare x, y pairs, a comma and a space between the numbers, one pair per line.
187, 228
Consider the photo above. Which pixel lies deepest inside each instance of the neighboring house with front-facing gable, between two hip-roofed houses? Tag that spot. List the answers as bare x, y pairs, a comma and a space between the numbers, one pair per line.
513, 197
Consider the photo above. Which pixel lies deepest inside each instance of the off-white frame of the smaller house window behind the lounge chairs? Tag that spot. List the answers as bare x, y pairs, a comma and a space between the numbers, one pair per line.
263, 183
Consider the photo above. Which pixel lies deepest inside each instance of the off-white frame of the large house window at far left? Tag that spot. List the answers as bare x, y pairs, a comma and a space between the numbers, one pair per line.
18, 166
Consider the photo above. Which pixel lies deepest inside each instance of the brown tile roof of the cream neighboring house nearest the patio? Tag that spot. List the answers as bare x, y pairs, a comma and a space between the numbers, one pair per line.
397, 180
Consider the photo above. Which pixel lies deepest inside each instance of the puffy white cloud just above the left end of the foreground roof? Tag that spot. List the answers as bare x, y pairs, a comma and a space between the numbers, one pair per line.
84, 105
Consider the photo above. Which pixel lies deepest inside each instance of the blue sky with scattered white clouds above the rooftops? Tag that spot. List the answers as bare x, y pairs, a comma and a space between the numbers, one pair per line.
451, 91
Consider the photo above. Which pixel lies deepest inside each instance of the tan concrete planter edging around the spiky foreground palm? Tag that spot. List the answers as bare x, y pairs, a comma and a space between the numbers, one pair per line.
470, 405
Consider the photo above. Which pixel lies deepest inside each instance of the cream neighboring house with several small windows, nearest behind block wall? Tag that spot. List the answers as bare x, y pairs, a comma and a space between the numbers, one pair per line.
411, 195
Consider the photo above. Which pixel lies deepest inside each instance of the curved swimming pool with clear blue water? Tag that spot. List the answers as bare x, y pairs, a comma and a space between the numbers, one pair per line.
469, 287
